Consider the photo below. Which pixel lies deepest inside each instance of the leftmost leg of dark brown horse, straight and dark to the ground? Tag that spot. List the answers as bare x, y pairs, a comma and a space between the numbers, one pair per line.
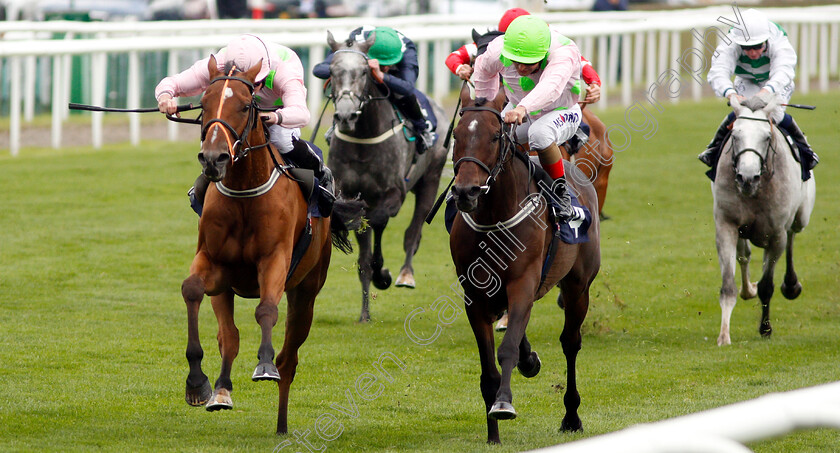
490, 377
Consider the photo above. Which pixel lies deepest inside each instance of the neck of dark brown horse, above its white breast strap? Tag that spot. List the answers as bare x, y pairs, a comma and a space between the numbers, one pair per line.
506, 195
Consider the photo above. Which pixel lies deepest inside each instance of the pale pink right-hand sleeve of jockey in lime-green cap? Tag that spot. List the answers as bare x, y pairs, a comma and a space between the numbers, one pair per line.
563, 63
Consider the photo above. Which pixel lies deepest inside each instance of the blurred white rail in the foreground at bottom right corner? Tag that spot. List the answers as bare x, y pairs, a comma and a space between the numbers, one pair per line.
725, 429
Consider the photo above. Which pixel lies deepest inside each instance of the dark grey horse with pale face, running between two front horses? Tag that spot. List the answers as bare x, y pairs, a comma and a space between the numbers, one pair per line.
371, 158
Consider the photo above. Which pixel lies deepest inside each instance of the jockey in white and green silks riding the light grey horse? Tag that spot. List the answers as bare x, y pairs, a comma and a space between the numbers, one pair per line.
764, 63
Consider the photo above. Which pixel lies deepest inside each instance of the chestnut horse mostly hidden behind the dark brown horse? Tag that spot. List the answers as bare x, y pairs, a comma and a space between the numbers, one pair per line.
595, 158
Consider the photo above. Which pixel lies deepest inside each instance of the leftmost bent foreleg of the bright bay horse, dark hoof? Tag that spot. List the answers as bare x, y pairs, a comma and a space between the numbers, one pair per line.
198, 389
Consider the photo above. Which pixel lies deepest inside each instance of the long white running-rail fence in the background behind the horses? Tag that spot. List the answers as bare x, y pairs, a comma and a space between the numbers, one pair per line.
631, 50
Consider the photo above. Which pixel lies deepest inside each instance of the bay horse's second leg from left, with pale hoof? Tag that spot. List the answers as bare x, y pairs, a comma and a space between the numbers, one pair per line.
228, 338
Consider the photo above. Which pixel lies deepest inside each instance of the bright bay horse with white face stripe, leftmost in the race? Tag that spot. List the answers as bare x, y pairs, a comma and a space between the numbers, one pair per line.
254, 216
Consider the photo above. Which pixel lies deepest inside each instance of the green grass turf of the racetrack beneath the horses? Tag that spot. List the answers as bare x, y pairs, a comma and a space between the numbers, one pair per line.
95, 244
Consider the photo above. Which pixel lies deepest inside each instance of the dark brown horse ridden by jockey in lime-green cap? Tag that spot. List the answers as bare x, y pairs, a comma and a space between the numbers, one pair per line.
492, 186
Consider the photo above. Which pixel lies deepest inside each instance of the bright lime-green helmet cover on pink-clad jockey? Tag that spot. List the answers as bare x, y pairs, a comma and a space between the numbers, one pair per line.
526, 40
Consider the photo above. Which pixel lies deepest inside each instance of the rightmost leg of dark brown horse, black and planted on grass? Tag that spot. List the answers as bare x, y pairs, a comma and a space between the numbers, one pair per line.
576, 297
